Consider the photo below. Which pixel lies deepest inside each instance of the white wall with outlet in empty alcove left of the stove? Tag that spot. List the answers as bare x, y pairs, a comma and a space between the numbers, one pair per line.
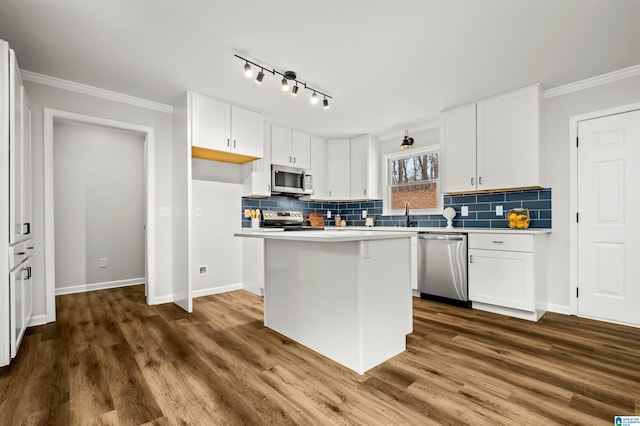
215, 218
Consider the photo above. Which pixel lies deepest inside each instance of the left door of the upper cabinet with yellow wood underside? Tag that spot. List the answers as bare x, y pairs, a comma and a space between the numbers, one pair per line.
210, 124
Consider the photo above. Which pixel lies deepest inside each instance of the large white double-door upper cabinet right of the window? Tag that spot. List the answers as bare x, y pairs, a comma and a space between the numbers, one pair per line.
492, 144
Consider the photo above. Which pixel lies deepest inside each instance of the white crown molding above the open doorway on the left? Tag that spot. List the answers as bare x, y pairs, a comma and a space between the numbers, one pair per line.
94, 91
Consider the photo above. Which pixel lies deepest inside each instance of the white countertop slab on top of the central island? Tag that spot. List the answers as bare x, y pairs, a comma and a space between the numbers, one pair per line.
330, 235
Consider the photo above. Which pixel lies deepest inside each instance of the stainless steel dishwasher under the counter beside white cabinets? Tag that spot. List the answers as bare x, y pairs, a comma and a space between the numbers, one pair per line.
442, 267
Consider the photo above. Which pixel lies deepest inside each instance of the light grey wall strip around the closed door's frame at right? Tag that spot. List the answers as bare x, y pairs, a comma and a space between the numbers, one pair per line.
555, 171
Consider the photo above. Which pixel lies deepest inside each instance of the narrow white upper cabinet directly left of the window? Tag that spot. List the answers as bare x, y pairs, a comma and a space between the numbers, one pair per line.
364, 165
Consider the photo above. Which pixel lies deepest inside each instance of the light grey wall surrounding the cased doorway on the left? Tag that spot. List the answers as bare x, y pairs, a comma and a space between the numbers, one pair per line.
44, 96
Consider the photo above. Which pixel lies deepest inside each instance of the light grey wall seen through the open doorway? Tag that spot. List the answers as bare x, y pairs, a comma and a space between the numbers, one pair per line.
99, 205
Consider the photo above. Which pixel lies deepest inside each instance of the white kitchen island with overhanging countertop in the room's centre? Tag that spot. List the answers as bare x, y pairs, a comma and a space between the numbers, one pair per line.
346, 295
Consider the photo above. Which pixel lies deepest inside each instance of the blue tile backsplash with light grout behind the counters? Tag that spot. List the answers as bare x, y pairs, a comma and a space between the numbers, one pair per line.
482, 208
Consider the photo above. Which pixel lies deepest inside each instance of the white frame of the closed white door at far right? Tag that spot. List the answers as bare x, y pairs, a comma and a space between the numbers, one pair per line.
573, 192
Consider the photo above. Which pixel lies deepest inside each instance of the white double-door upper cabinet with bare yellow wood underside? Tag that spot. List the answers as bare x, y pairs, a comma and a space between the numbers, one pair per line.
224, 132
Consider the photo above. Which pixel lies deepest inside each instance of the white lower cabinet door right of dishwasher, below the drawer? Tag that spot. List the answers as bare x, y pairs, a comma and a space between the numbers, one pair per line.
502, 278
